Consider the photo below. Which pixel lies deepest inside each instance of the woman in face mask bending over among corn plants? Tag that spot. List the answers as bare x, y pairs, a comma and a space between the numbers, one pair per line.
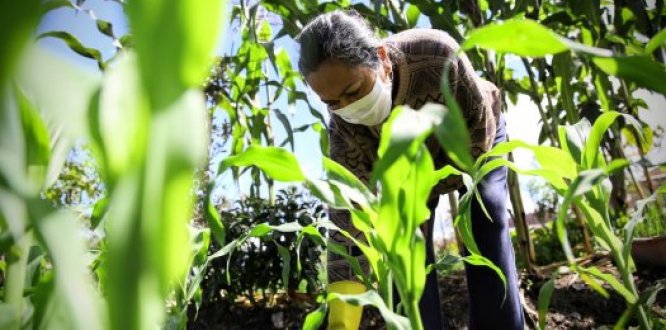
361, 78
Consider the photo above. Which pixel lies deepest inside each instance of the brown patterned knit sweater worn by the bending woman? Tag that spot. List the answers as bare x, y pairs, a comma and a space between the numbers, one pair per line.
418, 57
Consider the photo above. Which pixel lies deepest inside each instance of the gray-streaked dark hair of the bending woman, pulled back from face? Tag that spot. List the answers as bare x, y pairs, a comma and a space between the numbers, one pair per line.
340, 35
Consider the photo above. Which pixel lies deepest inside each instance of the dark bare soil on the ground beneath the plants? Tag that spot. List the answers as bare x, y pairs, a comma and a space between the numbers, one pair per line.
573, 305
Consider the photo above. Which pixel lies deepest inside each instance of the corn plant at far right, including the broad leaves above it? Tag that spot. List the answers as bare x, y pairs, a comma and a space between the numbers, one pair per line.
579, 176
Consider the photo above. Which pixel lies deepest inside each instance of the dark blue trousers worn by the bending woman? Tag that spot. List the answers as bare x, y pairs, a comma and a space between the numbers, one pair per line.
488, 309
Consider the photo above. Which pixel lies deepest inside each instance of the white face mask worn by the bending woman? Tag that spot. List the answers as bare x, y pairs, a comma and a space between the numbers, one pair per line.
371, 109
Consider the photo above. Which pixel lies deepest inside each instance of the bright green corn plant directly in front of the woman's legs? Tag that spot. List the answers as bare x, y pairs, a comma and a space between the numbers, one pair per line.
390, 219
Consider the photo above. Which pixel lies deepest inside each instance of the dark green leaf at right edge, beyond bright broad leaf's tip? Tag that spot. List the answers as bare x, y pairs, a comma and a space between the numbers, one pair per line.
642, 70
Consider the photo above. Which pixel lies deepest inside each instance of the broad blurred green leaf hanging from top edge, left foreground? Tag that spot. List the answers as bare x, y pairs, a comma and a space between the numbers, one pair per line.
180, 59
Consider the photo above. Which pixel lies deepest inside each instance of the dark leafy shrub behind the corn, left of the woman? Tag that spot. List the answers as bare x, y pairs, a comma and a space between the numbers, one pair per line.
267, 263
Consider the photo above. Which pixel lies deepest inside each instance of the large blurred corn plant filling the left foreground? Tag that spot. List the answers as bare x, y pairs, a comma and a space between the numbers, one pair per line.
145, 119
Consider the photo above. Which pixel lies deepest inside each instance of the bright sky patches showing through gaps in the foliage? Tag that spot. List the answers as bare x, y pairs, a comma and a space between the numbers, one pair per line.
522, 117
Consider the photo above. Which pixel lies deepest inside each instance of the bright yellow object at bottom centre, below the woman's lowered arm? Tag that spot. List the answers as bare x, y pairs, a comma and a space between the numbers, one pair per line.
344, 316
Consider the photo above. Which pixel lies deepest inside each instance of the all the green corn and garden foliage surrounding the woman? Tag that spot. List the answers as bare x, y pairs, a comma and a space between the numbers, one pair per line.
144, 120
